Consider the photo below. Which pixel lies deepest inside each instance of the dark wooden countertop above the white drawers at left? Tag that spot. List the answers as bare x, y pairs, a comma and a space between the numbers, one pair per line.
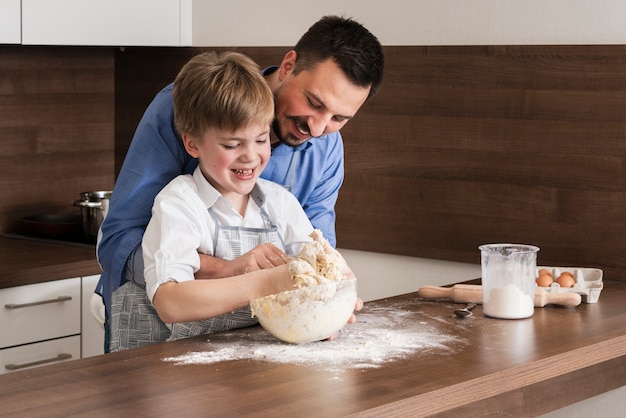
25, 261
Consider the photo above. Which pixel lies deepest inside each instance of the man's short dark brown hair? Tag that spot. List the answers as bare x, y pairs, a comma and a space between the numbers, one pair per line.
355, 50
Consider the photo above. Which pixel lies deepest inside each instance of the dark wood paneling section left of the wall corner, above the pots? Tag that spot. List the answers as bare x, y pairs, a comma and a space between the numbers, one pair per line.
56, 128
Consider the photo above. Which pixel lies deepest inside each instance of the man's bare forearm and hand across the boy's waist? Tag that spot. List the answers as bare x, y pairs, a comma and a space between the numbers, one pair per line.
260, 257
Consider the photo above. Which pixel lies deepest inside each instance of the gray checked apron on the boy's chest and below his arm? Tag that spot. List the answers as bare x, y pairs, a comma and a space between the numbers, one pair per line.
135, 322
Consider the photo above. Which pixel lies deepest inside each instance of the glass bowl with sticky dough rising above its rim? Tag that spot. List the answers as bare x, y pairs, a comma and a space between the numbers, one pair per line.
322, 303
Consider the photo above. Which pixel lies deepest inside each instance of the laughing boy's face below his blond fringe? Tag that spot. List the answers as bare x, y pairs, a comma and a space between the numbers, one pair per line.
231, 161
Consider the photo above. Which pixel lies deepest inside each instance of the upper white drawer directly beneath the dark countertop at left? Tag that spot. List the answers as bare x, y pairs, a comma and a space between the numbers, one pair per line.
39, 312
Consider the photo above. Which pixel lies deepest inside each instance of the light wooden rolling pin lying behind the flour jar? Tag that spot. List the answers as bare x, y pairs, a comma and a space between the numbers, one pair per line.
473, 293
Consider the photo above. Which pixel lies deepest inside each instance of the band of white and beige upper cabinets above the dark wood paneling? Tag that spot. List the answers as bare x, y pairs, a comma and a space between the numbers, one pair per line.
257, 23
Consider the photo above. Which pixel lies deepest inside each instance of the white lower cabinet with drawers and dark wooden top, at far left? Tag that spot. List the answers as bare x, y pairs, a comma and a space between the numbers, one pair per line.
45, 291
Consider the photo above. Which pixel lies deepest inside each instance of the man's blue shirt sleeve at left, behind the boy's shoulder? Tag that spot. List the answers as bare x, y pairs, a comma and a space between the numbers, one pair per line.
156, 155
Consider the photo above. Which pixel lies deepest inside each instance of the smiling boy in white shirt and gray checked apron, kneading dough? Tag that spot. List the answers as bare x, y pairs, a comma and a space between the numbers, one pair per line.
223, 109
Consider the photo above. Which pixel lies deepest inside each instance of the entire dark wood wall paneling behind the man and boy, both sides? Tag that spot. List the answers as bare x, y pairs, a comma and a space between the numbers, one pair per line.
462, 146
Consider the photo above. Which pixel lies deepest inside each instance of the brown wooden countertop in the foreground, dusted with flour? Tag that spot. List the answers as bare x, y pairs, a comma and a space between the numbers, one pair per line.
404, 356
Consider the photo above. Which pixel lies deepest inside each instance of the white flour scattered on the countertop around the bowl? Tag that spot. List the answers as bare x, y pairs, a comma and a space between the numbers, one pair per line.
378, 336
